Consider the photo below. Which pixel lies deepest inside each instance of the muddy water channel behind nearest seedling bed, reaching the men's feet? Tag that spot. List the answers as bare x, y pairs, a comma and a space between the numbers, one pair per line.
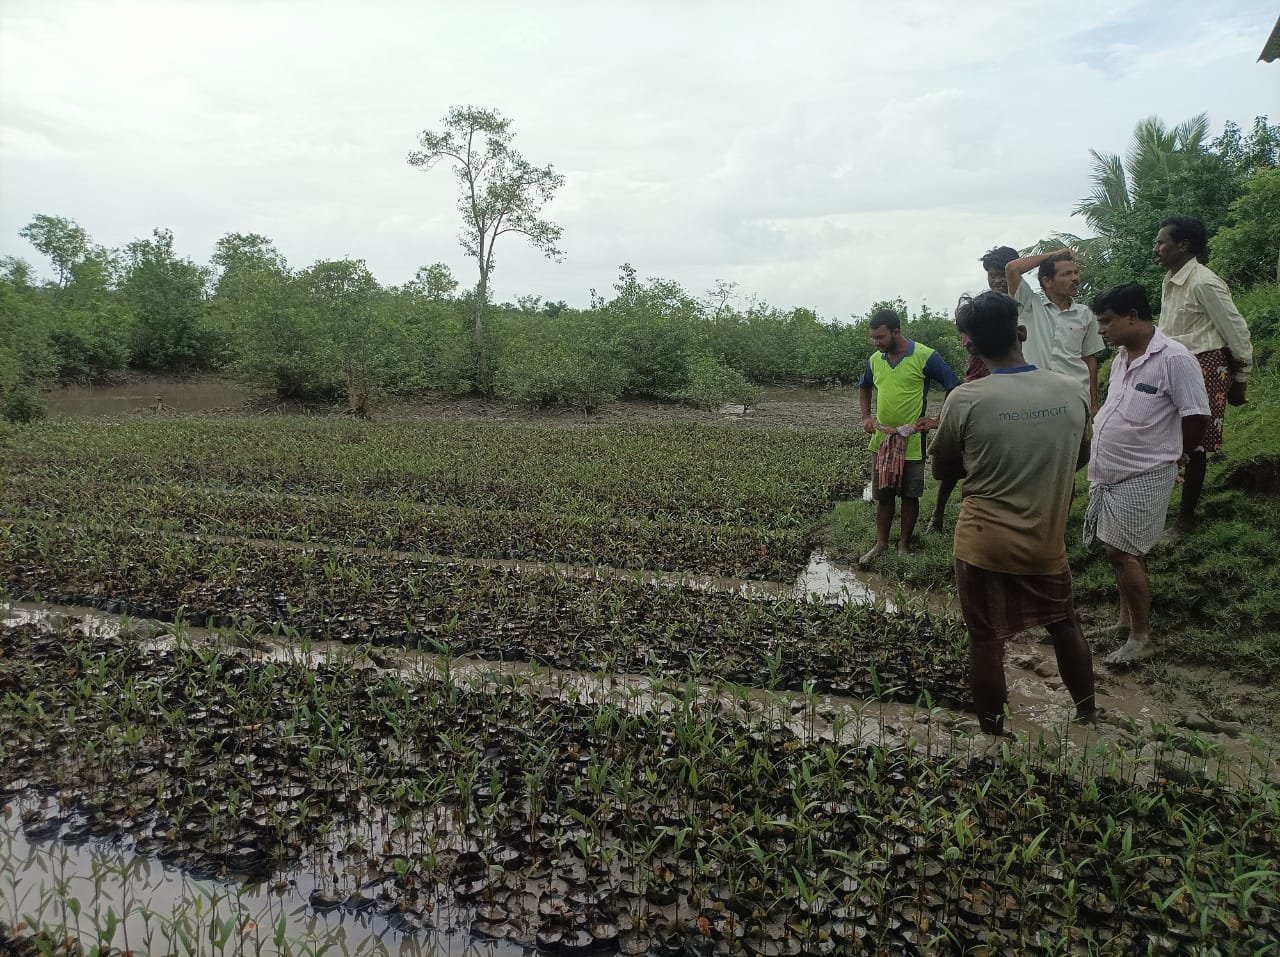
1137, 729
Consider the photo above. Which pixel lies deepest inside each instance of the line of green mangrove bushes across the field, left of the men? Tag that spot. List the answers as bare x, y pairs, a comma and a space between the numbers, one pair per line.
332, 331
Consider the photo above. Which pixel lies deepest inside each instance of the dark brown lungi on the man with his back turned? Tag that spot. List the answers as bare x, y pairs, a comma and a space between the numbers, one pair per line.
1002, 605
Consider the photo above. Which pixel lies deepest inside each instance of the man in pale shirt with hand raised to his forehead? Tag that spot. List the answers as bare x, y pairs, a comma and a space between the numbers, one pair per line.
1062, 333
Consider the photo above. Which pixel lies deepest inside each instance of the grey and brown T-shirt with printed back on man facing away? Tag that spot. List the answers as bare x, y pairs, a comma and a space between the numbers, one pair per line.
1020, 434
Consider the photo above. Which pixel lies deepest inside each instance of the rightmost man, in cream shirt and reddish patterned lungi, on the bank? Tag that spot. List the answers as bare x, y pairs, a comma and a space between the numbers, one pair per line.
1196, 310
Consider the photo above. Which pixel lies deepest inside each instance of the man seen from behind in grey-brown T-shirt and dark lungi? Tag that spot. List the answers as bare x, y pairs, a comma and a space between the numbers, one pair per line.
1017, 438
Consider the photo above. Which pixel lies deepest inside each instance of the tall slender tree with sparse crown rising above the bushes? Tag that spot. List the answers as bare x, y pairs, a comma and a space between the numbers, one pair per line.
501, 193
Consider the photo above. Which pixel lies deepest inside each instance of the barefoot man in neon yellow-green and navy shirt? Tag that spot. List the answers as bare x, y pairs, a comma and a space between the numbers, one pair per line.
899, 374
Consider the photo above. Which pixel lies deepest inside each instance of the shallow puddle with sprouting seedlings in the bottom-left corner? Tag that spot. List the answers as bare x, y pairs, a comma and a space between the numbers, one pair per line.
162, 910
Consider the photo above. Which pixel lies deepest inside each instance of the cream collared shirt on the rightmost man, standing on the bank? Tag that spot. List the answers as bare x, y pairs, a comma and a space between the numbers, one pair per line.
1196, 310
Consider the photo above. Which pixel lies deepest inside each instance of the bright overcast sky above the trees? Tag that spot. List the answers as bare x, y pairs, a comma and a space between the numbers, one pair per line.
817, 154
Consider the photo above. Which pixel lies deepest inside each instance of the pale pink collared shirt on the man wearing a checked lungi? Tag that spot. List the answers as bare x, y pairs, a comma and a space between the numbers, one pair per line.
1141, 424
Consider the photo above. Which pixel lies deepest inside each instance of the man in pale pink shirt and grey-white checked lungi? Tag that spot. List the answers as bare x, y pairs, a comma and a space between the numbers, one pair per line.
1155, 415
